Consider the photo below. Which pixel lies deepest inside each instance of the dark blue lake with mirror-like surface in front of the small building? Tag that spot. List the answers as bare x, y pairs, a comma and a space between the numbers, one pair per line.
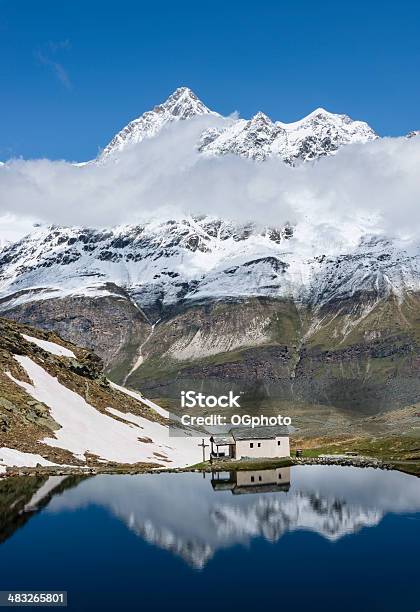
331, 539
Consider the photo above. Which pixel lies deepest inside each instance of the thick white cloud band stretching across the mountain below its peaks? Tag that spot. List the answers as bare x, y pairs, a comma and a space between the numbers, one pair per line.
377, 184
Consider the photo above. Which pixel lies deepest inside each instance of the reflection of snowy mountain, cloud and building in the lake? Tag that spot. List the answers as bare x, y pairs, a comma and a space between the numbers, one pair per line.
195, 515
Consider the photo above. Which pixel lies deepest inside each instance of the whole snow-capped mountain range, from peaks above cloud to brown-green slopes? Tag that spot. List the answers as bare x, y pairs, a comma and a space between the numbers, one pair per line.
176, 303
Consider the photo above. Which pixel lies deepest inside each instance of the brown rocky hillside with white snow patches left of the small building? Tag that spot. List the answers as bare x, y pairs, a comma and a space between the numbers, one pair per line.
57, 407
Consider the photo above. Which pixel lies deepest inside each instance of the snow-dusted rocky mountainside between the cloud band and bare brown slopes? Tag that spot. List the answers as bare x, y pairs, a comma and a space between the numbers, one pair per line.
157, 266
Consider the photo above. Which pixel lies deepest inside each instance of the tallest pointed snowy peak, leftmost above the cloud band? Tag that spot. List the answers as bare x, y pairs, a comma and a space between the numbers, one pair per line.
182, 104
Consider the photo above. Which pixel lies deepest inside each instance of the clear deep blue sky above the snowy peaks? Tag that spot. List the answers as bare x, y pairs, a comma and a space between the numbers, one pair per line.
73, 73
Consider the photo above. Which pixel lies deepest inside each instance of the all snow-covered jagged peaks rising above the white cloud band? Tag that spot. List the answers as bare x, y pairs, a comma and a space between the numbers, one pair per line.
320, 133
